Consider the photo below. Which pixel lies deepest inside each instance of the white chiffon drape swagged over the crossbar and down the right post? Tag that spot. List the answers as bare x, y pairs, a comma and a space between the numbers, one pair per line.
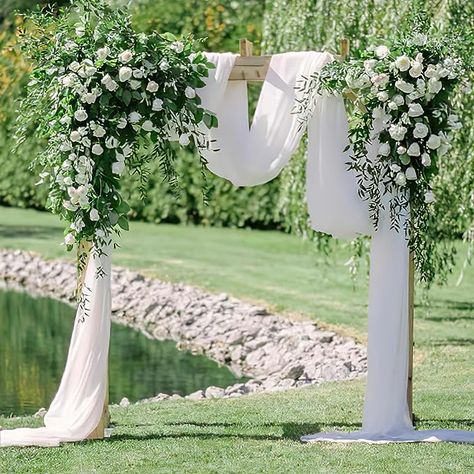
248, 156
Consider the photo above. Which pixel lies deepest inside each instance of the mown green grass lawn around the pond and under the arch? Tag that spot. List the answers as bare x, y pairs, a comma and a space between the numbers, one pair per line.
260, 433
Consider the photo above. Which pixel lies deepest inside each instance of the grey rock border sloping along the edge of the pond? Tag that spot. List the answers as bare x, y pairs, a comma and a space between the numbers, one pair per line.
274, 352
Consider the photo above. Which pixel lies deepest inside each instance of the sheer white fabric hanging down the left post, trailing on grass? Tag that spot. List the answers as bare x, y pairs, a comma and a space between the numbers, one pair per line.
77, 407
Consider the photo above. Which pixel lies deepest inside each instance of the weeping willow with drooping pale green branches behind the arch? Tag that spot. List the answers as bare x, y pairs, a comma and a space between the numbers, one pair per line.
319, 24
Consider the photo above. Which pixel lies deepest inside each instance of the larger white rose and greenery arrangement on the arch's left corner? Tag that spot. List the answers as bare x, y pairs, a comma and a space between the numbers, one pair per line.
106, 98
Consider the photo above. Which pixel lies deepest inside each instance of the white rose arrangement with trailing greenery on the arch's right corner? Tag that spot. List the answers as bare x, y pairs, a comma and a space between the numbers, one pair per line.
402, 105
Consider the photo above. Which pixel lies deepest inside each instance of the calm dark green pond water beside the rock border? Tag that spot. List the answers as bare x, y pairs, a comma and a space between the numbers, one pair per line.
34, 339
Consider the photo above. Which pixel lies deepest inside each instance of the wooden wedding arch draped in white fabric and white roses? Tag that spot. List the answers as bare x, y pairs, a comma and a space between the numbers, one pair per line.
206, 103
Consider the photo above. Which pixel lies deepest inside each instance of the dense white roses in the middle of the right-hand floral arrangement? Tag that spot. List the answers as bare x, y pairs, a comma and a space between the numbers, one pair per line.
406, 87
